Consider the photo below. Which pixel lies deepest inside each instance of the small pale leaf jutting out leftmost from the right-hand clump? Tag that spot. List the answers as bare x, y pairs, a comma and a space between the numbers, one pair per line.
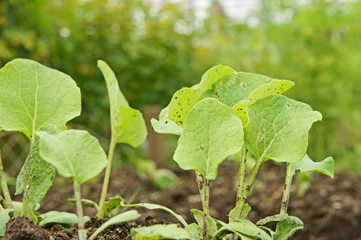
165, 125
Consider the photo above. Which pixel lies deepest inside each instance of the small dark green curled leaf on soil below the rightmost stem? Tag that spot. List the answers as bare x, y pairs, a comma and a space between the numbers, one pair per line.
287, 228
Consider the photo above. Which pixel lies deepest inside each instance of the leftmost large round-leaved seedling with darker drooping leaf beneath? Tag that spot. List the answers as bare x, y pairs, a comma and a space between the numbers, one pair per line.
34, 97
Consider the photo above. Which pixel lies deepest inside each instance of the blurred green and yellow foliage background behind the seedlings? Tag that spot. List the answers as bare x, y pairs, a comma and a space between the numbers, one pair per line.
155, 49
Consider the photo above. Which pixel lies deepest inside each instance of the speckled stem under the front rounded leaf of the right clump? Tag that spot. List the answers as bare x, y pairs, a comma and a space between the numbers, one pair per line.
203, 186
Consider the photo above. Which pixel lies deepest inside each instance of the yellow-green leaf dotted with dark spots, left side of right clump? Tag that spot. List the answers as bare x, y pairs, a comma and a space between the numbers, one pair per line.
181, 103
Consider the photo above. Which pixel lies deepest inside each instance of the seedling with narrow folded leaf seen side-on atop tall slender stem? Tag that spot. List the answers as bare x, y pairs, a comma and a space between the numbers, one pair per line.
127, 125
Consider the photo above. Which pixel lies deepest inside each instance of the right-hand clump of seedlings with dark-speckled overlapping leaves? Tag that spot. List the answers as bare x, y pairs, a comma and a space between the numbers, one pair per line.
275, 127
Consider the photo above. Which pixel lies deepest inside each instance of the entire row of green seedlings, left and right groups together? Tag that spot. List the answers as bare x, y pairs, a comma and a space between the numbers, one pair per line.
227, 113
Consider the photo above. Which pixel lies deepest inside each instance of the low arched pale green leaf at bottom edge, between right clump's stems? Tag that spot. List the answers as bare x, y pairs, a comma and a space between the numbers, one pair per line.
243, 227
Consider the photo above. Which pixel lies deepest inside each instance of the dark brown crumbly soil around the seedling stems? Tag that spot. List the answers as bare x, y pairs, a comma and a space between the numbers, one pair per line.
330, 208
